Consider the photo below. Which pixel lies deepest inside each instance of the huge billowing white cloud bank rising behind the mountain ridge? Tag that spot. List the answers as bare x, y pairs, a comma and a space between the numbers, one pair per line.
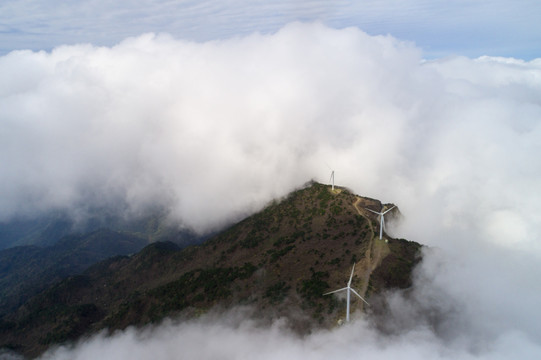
209, 129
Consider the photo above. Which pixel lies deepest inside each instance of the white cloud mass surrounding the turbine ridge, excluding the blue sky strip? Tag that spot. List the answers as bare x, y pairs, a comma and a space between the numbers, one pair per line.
215, 130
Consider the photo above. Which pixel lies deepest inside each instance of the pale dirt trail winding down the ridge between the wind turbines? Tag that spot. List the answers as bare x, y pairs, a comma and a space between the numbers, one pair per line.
369, 263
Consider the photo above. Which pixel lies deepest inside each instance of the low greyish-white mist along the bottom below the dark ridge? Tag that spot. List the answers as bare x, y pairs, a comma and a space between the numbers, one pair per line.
234, 338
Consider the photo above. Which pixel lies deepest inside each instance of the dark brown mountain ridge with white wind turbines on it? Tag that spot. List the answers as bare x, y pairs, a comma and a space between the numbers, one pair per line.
280, 260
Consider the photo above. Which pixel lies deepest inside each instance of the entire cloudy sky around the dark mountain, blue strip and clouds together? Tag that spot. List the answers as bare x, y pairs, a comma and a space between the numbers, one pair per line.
215, 122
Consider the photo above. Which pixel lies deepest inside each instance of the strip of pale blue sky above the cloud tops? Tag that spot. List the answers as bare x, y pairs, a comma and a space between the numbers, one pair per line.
441, 28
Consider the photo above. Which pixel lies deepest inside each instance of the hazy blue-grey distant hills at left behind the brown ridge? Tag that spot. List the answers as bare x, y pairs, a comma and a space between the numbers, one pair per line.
36, 252
